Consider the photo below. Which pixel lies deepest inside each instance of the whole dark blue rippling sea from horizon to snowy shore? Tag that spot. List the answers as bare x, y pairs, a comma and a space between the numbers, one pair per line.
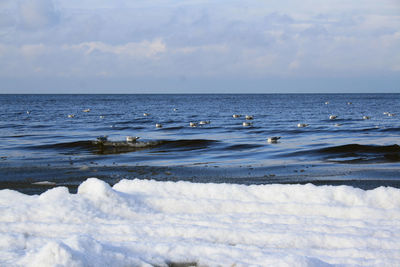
47, 145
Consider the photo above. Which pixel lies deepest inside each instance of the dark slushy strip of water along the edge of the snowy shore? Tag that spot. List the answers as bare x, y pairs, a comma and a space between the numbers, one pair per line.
36, 180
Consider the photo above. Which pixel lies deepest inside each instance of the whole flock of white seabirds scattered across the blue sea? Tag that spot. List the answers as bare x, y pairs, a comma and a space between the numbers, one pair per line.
247, 123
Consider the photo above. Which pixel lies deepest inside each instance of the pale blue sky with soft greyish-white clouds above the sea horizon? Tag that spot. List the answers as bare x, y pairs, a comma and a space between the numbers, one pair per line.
171, 46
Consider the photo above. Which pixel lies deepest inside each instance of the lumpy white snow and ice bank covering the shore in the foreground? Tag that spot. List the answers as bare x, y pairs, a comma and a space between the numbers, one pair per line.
149, 223
